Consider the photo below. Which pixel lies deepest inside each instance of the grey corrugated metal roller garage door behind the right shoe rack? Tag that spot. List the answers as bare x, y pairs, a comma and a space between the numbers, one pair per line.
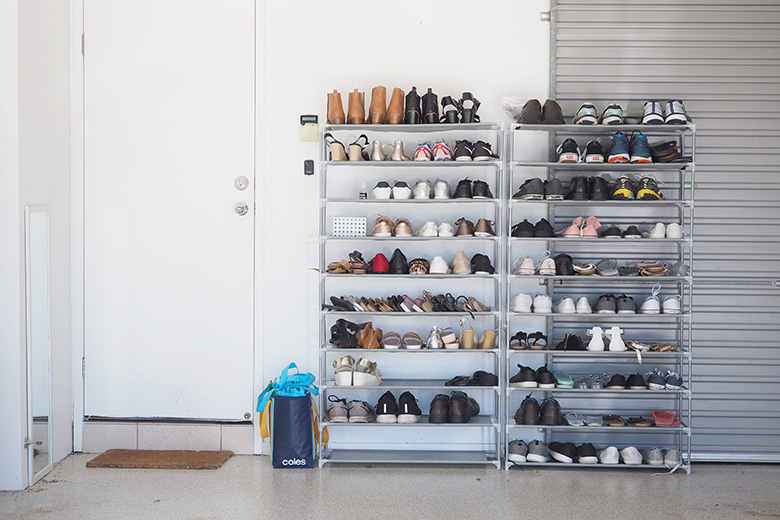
723, 59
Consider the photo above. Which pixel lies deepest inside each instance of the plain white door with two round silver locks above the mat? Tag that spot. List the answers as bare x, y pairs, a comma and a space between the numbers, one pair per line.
169, 127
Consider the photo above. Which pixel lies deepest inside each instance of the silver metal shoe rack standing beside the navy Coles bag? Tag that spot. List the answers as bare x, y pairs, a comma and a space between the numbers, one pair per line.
422, 372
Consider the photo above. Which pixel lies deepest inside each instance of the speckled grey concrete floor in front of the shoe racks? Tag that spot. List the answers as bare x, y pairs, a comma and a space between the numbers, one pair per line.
247, 487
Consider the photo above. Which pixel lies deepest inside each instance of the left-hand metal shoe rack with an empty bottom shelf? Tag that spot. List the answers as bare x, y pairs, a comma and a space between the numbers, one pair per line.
349, 208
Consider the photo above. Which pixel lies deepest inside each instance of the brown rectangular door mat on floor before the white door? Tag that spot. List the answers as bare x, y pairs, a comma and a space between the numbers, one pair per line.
160, 459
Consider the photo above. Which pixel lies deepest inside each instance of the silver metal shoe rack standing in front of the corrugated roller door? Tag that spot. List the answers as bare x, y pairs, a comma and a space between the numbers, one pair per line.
532, 154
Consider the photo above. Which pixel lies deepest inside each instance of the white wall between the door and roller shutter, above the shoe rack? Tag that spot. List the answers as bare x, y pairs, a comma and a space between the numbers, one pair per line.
449, 45
